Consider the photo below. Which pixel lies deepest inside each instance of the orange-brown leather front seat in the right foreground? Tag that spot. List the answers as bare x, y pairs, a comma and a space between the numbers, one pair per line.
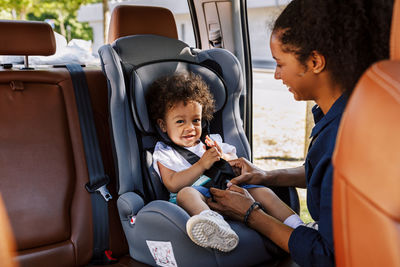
366, 193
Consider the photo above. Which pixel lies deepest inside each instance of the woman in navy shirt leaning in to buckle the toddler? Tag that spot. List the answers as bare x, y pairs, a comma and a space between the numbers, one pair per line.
321, 48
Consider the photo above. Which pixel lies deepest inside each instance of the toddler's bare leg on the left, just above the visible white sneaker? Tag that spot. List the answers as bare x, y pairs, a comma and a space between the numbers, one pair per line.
191, 200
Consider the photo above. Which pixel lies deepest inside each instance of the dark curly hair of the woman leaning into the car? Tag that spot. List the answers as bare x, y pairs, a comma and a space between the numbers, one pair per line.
351, 34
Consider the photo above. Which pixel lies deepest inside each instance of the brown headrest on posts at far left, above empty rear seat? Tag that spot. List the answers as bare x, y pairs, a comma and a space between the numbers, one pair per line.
26, 38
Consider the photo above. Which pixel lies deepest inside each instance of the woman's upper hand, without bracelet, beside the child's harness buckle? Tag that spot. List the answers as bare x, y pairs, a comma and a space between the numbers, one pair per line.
248, 173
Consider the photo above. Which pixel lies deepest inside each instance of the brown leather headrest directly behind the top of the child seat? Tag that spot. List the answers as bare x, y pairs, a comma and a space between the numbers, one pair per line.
131, 20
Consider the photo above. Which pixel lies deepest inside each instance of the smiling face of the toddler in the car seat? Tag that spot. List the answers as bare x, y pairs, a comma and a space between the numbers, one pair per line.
183, 123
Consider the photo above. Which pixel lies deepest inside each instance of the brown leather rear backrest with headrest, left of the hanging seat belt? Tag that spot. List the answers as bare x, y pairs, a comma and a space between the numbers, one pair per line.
42, 162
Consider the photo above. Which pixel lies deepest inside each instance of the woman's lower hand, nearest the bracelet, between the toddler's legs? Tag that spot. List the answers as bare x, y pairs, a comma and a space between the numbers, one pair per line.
232, 202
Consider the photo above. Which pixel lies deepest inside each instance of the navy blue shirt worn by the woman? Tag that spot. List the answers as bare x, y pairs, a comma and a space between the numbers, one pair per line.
310, 247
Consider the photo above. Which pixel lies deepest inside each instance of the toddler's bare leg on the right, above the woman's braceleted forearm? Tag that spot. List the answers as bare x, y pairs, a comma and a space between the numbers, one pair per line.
272, 204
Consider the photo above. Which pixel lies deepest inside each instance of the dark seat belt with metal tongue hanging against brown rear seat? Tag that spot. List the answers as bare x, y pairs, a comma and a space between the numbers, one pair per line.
98, 180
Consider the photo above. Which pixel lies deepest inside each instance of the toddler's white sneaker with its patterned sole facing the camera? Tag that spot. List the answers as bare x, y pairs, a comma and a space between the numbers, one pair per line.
209, 229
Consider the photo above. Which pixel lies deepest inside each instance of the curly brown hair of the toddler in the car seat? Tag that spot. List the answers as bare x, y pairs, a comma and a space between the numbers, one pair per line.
167, 91
